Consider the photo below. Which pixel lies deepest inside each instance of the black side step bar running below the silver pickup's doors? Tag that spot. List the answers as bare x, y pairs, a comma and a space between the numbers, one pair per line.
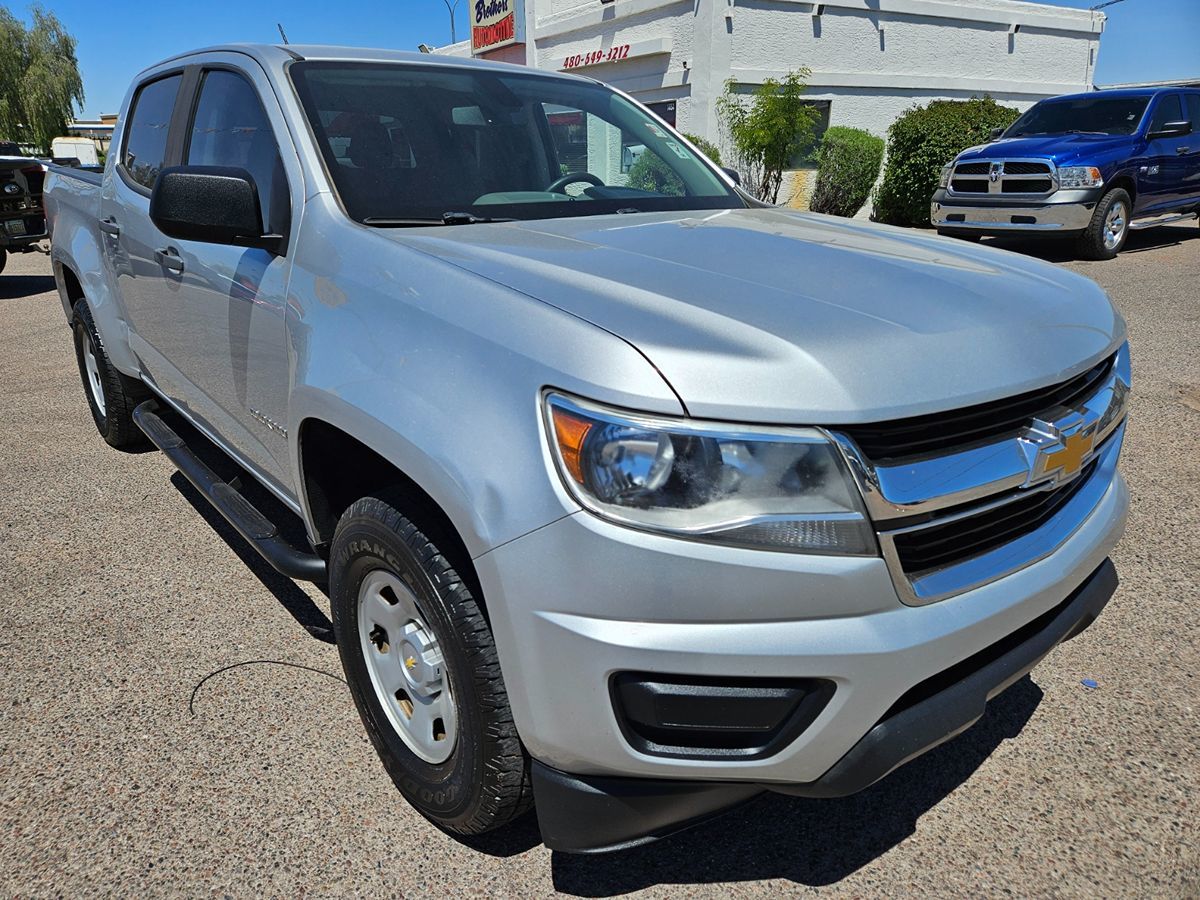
254, 526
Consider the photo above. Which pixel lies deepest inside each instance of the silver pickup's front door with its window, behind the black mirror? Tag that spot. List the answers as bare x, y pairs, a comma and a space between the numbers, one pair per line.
235, 299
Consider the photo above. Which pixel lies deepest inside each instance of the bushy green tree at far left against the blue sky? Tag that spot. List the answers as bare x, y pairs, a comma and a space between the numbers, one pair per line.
40, 83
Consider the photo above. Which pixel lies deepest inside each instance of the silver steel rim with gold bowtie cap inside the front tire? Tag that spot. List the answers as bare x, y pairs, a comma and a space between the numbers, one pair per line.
406, 668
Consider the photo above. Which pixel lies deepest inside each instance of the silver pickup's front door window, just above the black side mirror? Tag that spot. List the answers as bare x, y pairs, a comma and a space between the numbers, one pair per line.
231, 129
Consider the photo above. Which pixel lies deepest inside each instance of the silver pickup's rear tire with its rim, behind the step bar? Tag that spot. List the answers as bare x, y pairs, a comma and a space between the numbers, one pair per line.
111, 395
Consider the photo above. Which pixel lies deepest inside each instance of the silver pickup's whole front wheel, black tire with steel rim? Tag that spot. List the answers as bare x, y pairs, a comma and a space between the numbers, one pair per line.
478, 777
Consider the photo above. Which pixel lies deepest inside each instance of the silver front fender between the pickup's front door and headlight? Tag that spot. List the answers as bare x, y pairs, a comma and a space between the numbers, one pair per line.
395, 349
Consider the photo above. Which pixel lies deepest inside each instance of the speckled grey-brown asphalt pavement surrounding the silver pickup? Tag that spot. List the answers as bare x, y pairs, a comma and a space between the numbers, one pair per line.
173, 718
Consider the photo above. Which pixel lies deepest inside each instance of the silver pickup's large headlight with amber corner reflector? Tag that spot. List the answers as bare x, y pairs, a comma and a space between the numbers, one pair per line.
739, 485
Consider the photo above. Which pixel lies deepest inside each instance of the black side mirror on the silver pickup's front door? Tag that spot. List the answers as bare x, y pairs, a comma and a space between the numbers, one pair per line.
214, 205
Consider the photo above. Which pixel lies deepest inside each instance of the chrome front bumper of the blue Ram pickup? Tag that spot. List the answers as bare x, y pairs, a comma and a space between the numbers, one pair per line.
1064, 213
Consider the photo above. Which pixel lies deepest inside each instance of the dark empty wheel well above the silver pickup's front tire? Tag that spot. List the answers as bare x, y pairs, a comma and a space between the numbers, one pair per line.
339, 470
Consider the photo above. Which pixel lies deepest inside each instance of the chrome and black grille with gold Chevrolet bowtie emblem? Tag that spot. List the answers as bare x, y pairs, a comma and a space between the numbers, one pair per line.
967, 497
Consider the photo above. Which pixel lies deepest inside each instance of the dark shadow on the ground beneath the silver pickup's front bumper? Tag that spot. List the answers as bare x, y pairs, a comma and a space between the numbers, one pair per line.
805, 842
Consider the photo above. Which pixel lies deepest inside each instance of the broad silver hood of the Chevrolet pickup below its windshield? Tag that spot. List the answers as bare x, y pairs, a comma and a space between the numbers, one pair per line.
796, 319
